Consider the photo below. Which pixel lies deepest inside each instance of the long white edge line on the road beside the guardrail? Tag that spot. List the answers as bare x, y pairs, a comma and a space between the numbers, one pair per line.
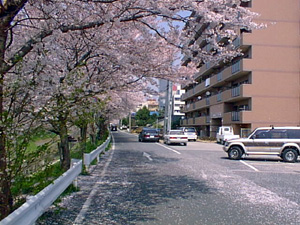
80, 217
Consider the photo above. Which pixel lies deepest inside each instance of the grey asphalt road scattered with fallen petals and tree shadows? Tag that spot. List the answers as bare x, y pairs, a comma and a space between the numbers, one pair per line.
152, 183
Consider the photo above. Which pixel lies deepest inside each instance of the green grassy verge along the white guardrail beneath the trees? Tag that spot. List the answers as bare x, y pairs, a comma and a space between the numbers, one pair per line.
40, 176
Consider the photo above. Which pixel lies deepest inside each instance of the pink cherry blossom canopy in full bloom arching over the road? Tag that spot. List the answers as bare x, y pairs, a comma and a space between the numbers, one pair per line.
70, 50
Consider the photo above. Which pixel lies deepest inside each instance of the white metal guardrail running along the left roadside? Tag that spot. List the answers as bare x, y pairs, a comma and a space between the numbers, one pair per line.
33, 208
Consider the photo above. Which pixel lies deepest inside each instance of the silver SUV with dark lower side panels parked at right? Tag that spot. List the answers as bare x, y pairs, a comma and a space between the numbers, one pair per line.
281, 141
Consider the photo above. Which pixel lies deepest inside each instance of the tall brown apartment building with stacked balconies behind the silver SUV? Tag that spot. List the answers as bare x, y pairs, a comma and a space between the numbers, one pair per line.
259, 89
